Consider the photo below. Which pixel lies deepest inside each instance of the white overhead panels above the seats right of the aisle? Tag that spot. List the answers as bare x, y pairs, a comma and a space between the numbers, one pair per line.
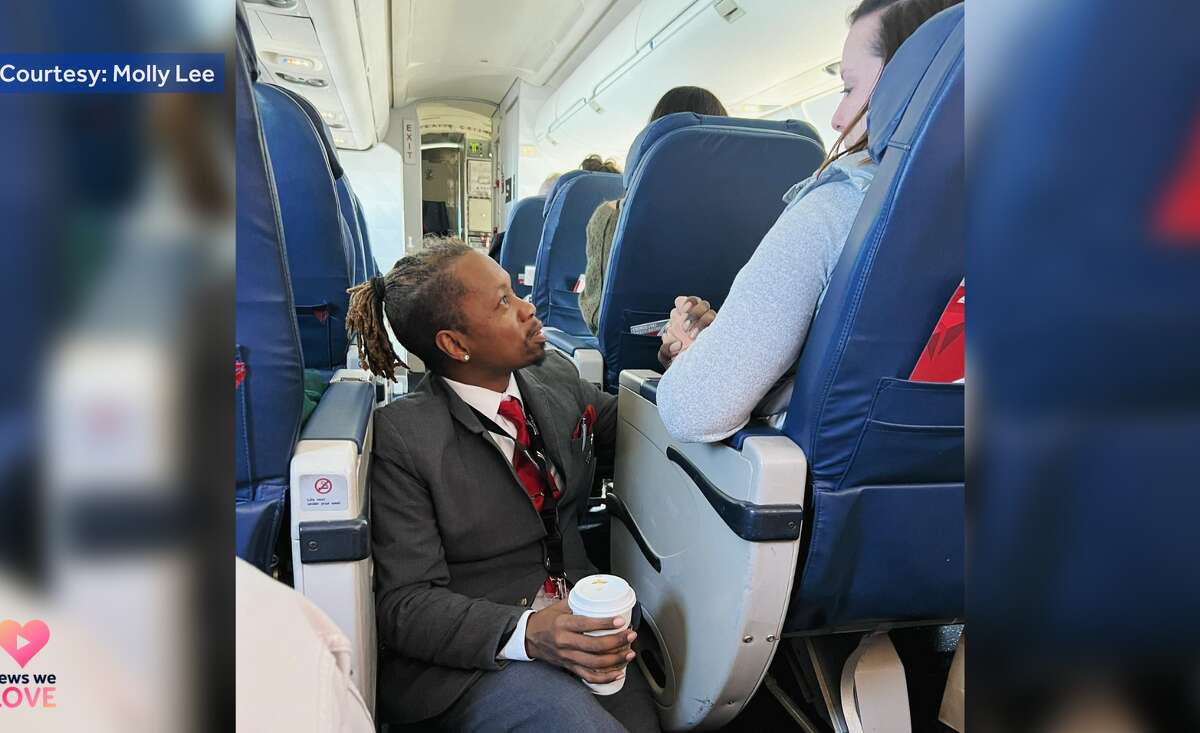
767, 56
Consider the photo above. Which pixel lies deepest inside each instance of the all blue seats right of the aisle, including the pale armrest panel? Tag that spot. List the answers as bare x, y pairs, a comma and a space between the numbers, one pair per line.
850, 516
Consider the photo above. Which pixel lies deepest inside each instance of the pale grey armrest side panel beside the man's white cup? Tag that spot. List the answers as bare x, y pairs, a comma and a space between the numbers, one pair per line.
748, 507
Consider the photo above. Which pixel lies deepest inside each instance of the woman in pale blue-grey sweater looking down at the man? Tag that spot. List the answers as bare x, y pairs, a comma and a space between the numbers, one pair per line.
748, 350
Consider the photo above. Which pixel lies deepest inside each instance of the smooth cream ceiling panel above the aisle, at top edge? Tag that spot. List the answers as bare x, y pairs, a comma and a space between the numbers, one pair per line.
473, 50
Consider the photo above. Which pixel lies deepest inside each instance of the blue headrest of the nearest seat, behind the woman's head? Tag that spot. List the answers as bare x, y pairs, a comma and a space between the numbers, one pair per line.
904, 74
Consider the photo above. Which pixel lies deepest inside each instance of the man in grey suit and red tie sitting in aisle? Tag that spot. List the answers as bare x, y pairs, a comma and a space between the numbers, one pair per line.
478, 479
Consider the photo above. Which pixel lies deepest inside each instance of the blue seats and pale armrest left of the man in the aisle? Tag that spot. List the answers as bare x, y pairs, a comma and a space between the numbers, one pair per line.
301, 245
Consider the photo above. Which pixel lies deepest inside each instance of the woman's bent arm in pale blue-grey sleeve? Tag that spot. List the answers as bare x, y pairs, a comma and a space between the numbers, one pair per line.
711, 389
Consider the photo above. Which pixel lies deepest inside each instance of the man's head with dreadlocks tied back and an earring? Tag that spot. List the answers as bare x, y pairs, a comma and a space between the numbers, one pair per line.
451, 305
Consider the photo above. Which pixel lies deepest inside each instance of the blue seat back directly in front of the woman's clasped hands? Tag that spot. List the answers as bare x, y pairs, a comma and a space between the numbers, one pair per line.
703, 191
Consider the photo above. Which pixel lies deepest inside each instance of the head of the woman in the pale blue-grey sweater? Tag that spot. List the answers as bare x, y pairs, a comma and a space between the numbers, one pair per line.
878, 28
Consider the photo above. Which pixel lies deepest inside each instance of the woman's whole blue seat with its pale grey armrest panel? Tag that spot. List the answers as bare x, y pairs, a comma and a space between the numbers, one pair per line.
851, 518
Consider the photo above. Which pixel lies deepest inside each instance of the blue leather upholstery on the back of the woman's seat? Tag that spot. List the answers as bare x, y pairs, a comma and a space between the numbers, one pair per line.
885, 454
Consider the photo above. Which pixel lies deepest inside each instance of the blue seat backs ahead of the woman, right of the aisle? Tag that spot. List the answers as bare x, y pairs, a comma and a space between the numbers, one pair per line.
699, 194
